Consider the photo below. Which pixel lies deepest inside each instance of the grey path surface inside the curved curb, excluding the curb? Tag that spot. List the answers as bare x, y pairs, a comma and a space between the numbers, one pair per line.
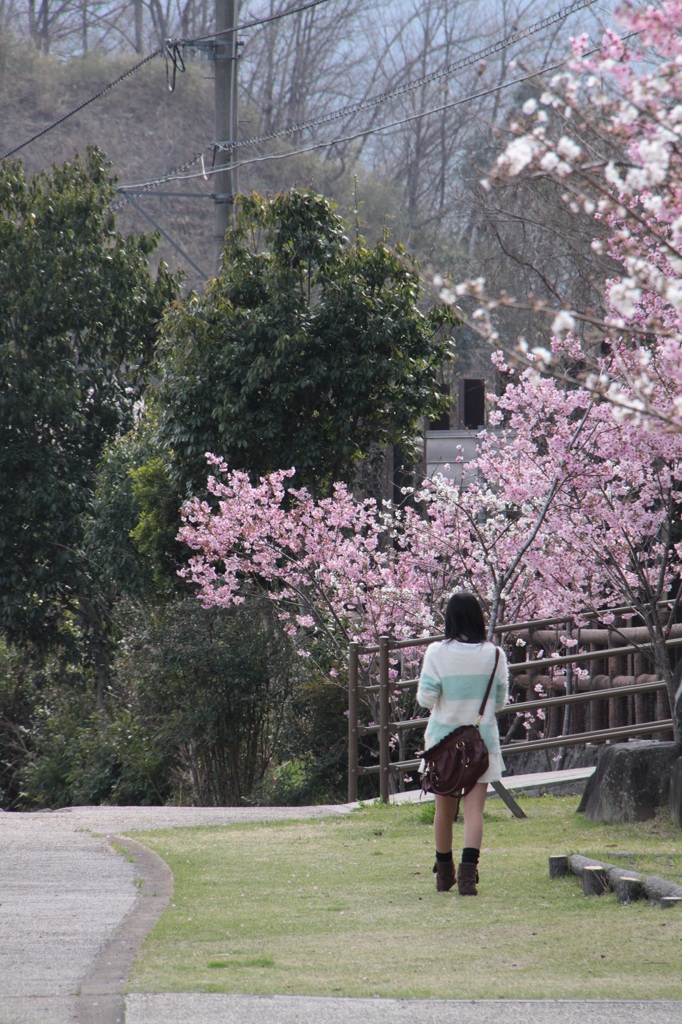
62, 895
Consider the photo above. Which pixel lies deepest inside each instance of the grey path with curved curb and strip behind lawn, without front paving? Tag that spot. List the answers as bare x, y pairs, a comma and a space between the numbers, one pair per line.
74, 911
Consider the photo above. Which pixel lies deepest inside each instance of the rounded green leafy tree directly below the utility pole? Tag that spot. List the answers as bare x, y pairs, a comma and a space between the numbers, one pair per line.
305, 352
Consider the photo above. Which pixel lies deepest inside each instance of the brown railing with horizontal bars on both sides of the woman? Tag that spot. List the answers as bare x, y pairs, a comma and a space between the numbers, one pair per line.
611, 719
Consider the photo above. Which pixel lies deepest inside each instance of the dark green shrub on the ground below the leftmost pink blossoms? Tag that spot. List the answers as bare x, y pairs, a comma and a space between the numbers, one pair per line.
214, 690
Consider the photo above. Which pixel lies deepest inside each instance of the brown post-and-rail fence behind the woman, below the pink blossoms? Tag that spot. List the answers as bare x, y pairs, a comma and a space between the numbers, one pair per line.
618, 700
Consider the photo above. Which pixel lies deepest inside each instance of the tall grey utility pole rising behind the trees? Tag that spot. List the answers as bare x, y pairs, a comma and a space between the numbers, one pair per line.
226, 181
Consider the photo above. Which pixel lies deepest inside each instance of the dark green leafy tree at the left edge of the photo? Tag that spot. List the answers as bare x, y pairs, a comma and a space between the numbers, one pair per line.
78, 316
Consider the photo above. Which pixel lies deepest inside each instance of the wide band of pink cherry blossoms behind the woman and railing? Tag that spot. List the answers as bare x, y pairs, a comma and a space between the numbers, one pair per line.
565, 511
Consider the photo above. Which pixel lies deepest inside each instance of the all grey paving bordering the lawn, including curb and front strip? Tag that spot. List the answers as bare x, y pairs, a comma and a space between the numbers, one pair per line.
74, 910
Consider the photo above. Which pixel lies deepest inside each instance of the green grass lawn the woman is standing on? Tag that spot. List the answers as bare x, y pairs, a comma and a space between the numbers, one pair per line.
348, 907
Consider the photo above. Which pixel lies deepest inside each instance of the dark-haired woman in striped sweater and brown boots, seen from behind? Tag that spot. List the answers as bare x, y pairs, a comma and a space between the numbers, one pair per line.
455, 674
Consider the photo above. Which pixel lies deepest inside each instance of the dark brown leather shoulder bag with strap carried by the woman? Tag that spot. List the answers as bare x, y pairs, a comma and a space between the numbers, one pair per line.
453, 766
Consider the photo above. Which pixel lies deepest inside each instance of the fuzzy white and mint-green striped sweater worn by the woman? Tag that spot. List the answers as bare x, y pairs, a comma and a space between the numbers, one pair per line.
452, 686
